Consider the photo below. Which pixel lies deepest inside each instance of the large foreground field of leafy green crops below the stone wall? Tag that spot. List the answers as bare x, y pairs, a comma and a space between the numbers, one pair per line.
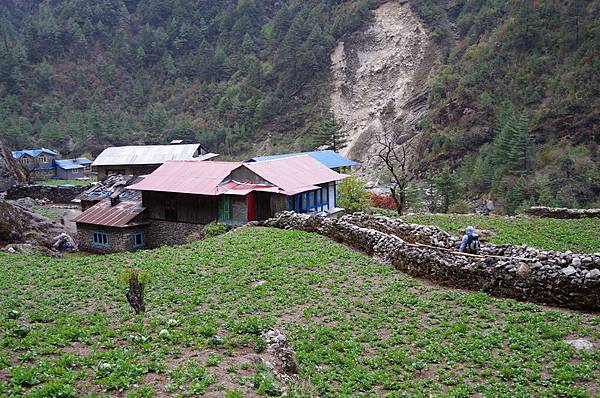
358, 327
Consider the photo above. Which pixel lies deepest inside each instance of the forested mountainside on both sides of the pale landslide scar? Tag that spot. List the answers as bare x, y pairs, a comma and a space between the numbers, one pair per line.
514, 109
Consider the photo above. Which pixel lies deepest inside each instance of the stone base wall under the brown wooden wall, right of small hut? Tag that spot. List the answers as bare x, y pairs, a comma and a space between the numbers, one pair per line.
172, 233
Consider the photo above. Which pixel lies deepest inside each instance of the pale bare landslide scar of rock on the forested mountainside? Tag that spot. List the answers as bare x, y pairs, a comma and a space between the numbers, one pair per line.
380, 77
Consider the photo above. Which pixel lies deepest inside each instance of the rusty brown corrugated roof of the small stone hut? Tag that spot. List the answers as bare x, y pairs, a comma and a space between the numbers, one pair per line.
119, 215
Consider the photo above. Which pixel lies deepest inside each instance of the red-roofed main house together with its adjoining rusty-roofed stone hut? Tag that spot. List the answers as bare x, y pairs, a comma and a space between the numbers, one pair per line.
180, 197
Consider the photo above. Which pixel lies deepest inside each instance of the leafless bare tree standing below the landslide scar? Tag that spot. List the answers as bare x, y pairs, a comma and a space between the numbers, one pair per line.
395, 159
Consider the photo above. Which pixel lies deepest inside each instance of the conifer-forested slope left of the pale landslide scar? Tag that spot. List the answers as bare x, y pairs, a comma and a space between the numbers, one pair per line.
79, 75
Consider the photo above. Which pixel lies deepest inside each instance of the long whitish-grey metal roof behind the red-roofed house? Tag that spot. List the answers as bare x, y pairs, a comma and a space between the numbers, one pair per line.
145, 154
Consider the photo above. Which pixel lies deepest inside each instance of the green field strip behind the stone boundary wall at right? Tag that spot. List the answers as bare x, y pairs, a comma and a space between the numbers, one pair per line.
579, 236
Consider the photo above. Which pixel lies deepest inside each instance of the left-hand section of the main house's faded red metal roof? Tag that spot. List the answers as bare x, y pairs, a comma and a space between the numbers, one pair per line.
191, 176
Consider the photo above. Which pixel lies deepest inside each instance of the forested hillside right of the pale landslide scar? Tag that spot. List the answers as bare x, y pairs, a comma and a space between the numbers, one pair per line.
516, 107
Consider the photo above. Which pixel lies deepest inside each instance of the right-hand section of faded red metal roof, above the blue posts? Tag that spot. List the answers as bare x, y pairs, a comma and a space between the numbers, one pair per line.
295, 174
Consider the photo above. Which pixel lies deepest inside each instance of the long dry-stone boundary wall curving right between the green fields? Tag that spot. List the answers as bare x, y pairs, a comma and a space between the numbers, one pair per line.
540, 281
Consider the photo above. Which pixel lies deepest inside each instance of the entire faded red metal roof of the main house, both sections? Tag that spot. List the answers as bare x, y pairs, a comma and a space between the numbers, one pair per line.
287, 175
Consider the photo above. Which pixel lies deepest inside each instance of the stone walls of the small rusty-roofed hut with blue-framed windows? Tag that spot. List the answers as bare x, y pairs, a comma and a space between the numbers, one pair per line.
119, 239
